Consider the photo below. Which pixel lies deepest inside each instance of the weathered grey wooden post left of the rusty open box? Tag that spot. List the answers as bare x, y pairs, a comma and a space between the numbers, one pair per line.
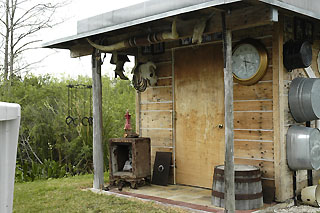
97, 121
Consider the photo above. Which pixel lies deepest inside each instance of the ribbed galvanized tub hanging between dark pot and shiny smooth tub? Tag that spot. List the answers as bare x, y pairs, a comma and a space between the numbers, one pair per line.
304, 99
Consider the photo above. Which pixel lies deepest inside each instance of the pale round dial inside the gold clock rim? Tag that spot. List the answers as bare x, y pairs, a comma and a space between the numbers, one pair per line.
245, 61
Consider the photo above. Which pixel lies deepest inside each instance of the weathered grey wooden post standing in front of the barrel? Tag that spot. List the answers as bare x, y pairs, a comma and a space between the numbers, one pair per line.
229, 196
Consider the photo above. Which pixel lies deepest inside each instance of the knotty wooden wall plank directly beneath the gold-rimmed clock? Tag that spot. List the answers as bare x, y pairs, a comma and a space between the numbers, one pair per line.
255, 92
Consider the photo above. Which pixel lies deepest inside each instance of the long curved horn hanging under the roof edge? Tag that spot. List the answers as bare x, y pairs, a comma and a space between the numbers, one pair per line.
139, 41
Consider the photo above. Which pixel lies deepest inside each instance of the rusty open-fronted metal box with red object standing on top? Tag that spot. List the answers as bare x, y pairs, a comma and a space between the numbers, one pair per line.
134, 150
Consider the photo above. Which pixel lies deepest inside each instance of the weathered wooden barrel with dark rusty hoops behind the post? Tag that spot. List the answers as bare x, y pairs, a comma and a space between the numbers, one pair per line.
248, 188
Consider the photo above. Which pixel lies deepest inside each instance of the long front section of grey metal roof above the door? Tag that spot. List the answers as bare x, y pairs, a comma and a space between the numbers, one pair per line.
125, 17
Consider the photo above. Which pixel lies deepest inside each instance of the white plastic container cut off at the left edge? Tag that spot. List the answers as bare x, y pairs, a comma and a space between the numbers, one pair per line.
9, 132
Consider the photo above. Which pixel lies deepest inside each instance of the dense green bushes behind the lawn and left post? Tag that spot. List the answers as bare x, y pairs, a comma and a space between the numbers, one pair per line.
48, 147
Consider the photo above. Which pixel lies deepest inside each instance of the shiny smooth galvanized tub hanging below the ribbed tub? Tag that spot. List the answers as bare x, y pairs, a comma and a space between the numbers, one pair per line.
303, 148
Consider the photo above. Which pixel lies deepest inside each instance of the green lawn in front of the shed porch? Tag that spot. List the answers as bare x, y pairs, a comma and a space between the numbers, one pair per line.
65, 195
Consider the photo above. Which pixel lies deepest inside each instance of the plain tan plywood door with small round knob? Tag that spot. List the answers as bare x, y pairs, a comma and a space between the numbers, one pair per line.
199, 106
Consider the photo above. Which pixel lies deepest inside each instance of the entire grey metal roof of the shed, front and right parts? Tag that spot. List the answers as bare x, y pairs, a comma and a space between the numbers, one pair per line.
155, 9
